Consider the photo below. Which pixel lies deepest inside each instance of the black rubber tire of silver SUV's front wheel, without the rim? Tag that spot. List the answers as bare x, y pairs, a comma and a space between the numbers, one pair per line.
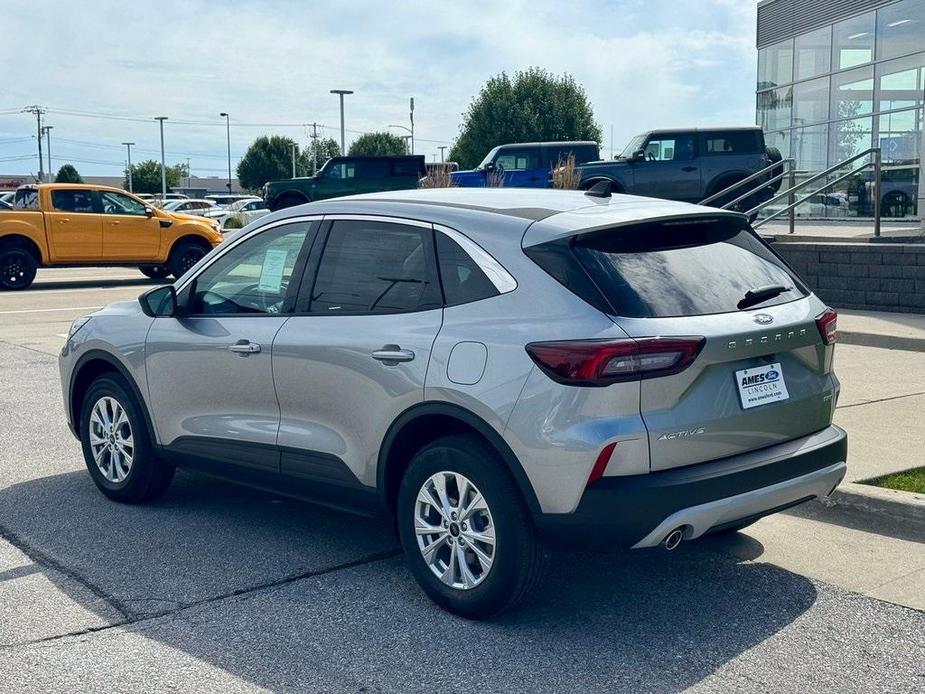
135, 486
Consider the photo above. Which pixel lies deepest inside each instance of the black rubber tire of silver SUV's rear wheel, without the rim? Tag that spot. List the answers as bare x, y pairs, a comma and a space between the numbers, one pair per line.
513, 533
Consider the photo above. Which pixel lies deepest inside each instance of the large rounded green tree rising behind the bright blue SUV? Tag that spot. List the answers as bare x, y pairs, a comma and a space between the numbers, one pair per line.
534, 105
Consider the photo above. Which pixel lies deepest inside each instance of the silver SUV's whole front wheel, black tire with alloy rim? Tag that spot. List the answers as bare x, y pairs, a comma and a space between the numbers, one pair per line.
128, 469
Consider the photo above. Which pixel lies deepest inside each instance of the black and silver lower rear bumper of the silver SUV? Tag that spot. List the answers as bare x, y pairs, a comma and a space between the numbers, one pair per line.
640, 510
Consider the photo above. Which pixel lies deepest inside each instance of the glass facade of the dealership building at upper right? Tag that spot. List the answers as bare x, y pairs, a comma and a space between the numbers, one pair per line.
831, 93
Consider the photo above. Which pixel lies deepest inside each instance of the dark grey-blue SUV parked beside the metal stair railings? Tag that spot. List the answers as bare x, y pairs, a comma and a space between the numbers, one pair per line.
687, 165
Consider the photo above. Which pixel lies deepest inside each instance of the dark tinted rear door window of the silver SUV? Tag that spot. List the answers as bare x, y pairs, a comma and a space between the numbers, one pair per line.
375, 267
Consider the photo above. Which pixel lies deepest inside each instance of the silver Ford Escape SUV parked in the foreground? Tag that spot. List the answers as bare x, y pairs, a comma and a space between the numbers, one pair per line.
493, 369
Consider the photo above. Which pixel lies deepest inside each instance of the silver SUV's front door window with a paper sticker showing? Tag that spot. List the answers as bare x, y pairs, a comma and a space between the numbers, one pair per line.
252, 278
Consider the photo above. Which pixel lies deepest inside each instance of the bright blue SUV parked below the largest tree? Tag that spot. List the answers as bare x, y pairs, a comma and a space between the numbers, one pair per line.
524, 164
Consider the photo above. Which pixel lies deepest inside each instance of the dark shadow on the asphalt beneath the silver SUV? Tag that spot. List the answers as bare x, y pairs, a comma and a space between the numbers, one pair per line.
646, 620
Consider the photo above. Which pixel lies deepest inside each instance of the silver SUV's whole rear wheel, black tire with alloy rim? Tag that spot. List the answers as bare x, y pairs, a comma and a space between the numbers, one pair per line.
517, 559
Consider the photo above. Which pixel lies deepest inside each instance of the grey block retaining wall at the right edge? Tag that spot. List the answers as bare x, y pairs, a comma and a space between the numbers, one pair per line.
866, 276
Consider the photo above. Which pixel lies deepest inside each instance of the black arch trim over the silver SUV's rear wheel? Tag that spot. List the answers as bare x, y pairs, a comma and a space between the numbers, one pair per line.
468, 418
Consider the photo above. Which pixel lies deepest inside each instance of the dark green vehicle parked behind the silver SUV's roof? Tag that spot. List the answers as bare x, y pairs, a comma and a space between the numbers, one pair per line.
346, 176
